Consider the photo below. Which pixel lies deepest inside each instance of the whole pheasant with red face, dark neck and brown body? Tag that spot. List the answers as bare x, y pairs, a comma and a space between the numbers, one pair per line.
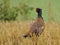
38, 26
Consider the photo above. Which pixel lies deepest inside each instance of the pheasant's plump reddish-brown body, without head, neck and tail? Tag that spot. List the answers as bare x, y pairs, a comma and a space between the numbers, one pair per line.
37, 27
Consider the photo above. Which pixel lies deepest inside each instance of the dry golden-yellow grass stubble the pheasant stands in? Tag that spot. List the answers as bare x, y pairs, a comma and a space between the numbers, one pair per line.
10, 34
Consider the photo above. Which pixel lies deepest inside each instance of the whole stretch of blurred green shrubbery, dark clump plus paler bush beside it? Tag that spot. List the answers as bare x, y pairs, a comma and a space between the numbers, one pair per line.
9, 14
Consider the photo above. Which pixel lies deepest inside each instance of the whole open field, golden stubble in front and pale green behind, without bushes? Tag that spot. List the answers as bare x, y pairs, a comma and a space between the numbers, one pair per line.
11, 32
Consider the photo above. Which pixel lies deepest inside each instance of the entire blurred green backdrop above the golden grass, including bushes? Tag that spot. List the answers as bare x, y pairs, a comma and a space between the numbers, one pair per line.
25, 10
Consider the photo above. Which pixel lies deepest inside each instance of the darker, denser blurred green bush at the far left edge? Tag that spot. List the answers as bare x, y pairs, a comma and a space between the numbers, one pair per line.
6, 13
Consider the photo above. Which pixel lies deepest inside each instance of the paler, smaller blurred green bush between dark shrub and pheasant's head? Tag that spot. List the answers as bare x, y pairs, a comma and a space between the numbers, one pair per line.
25, 10
